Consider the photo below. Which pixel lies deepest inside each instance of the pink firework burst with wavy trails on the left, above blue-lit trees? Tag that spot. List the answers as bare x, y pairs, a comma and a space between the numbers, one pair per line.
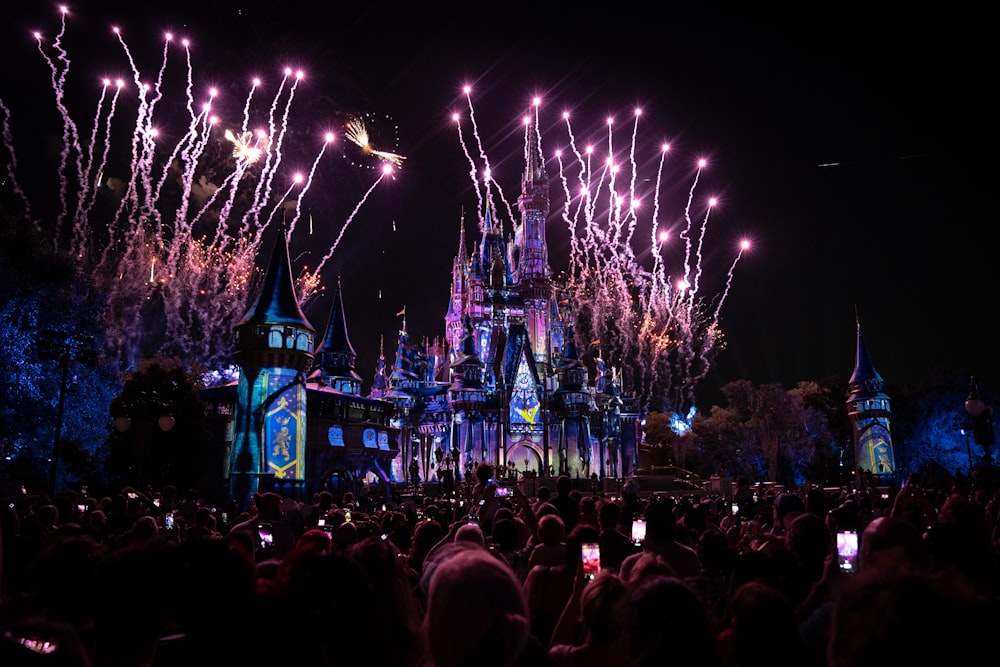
159, 212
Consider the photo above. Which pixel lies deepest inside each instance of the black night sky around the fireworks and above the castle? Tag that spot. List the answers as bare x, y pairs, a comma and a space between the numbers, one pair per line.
853, 147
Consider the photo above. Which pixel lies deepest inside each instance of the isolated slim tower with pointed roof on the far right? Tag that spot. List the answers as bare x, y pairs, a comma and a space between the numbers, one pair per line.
869, 411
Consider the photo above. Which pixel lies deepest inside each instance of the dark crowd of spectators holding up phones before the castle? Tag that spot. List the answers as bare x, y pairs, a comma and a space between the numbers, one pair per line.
157, 579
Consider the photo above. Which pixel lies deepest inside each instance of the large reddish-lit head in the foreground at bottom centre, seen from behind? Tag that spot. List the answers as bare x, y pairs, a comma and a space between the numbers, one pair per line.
476, 611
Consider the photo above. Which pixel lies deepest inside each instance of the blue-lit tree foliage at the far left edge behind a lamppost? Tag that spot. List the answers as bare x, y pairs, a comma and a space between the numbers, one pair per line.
44, 297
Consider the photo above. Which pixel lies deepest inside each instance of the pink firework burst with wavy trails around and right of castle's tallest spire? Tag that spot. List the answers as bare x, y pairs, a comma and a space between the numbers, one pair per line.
647, 300
